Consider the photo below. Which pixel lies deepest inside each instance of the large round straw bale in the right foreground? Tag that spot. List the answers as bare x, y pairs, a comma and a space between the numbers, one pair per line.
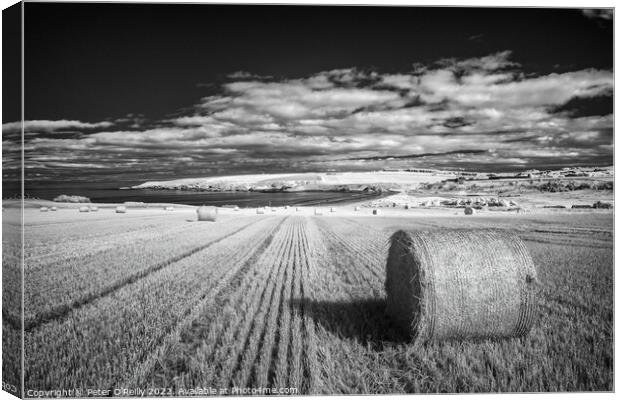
460, 284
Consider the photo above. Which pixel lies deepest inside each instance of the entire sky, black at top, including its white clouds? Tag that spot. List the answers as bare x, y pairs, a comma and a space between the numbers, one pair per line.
111, 86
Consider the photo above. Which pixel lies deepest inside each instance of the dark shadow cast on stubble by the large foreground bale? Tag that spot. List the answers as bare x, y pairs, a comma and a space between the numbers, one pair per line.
363, 320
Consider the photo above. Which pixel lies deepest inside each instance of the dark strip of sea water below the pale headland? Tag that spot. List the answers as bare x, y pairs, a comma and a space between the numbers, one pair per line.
110, 192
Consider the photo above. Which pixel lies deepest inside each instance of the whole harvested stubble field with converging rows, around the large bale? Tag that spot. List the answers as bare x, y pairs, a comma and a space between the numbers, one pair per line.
290, 300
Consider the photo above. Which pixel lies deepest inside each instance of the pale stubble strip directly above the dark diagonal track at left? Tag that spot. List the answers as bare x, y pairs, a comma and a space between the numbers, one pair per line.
53, 290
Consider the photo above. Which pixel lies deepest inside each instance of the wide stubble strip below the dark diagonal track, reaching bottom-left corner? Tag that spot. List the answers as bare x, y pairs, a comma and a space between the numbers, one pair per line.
131, 323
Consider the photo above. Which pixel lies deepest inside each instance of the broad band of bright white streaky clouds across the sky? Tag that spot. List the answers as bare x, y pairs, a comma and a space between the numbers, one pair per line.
475, 113
